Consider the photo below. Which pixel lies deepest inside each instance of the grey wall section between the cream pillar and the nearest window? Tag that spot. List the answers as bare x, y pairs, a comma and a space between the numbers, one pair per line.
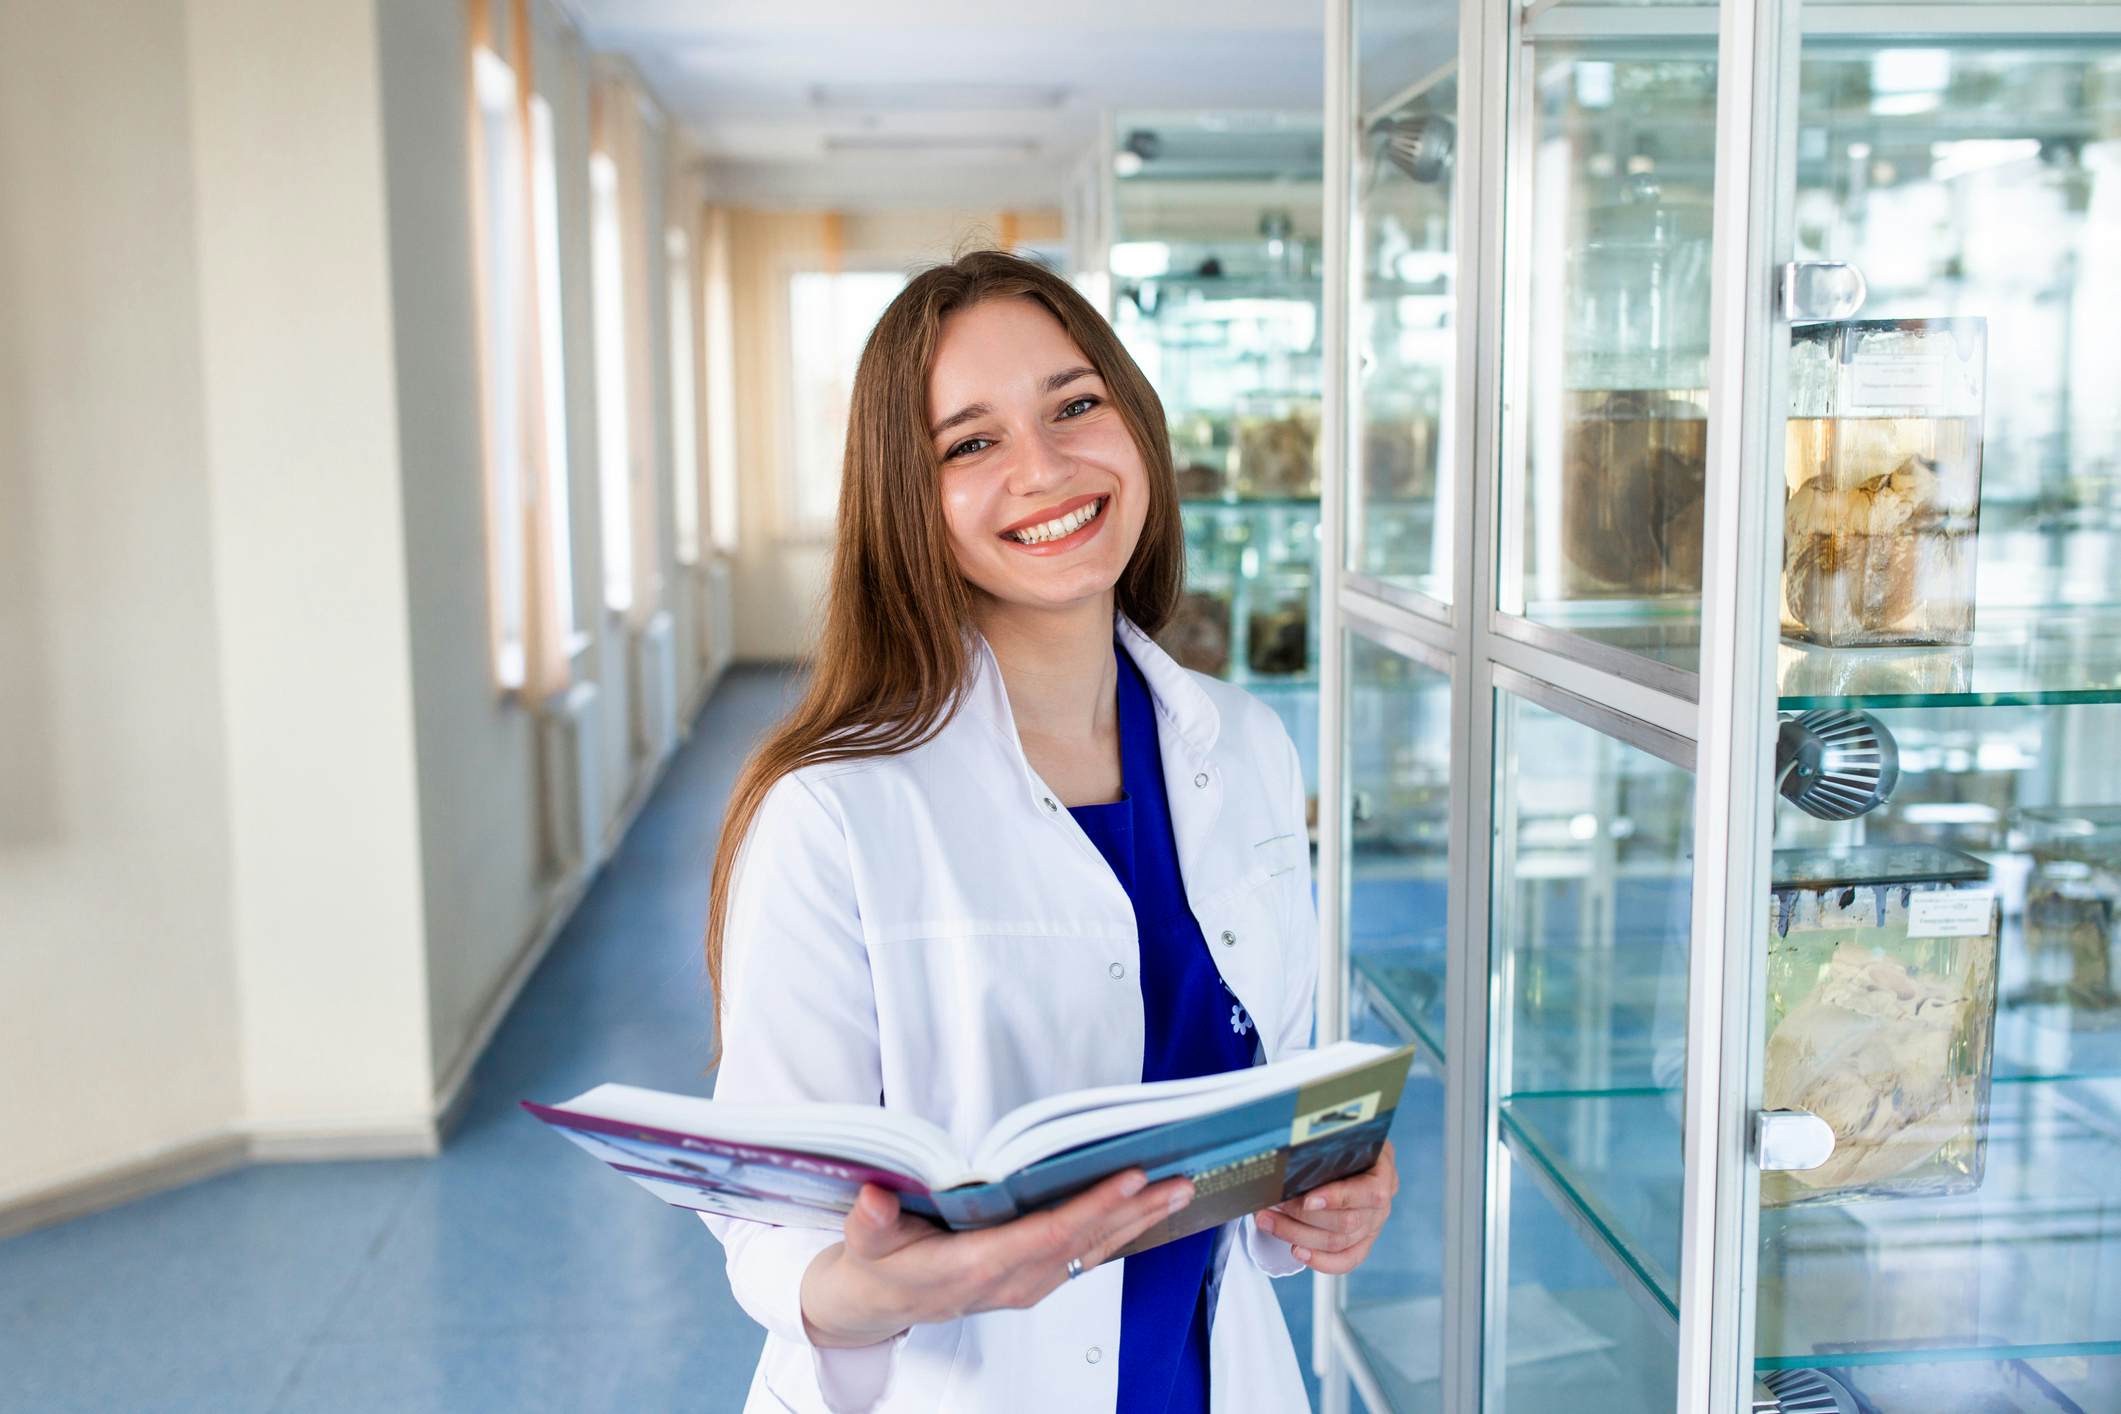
476, 747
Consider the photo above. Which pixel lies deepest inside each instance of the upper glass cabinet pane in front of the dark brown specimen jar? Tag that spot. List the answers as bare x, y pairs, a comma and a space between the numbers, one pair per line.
1607, 328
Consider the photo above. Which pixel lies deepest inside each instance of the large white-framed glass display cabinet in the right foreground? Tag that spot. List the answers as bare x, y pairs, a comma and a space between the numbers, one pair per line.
1721, 662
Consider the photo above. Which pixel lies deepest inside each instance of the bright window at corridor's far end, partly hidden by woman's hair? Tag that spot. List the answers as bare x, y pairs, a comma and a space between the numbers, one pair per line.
830, 319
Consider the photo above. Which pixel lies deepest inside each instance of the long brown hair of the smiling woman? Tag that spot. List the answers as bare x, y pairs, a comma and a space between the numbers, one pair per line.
894, 654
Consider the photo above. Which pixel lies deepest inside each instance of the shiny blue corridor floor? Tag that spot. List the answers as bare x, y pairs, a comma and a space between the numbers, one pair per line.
506, 1275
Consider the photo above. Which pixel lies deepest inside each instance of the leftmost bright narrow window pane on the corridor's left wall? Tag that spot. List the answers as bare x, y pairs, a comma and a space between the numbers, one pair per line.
499, 202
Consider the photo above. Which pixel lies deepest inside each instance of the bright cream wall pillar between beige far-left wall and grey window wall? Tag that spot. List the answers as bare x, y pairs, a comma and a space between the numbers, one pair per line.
311, 569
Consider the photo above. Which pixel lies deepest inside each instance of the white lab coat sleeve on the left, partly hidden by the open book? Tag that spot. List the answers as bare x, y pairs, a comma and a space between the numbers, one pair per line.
799, 1025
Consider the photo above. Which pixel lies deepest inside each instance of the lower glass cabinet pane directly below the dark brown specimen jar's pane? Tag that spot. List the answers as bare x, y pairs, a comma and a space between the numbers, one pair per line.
1590, 942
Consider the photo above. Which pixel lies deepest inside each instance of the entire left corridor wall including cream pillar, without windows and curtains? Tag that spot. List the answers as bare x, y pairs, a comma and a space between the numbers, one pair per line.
268, 830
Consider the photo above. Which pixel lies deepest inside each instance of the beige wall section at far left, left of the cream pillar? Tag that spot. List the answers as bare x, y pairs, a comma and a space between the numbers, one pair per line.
118, 968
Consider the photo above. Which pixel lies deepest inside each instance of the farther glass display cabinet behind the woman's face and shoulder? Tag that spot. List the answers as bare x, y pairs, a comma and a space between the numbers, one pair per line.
1216, 289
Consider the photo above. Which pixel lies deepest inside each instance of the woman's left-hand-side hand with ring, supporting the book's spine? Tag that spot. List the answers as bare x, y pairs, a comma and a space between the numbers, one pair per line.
894, 1271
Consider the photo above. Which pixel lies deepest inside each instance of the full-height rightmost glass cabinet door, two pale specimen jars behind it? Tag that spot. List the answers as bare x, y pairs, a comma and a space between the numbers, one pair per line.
1942, 911
